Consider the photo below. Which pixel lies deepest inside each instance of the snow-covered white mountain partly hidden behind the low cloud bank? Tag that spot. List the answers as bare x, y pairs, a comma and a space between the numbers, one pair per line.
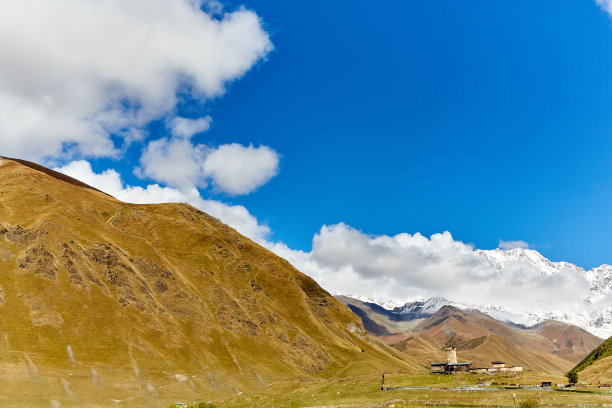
596, 316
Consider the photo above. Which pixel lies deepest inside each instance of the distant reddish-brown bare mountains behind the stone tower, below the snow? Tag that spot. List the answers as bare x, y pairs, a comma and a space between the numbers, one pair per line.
550, 346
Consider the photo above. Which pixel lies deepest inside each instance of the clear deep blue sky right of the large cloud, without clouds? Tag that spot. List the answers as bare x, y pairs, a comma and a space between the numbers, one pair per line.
492, 120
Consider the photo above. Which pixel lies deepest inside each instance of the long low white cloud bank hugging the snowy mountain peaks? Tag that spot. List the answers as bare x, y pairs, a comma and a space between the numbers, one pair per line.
408, 267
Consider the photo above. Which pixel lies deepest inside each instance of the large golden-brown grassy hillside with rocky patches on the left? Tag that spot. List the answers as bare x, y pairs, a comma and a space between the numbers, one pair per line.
103, 301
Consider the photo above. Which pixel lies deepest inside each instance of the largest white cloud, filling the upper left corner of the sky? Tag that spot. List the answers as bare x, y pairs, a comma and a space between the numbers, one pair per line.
73, 72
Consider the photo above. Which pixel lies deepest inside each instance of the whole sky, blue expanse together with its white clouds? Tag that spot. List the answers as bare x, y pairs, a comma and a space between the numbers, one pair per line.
329, 130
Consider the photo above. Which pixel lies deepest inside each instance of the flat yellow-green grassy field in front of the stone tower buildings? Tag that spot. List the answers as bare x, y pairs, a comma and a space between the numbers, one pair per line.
365, 392
